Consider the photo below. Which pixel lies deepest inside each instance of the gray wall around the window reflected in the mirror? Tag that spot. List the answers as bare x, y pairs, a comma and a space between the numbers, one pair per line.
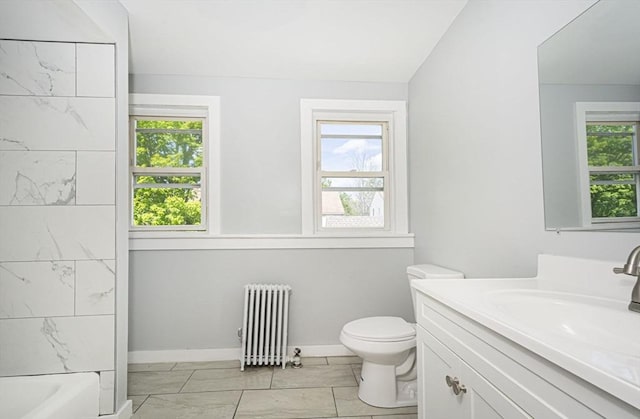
559, 145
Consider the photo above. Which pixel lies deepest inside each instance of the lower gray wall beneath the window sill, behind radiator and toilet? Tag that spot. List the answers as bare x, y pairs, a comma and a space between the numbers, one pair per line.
193, 299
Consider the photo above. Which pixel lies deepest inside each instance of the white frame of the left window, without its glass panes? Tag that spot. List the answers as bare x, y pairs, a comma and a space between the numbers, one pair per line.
206, 108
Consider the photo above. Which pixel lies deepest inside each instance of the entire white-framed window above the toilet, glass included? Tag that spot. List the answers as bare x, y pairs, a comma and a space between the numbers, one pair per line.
354, 167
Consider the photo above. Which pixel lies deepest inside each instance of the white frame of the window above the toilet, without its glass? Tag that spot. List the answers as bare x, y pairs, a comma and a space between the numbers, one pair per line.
394, 114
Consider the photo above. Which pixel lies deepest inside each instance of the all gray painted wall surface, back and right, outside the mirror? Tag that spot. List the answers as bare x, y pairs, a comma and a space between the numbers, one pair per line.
476, 195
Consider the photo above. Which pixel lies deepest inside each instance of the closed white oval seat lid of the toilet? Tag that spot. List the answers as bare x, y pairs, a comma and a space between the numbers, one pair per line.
380, 329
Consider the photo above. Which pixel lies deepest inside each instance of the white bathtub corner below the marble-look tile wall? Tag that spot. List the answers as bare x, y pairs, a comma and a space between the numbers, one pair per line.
58, 396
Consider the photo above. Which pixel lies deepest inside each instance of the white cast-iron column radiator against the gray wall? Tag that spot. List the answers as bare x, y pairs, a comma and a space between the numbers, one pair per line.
264, 327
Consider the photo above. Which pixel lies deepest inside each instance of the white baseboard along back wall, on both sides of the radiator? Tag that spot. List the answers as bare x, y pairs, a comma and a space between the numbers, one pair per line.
225, 354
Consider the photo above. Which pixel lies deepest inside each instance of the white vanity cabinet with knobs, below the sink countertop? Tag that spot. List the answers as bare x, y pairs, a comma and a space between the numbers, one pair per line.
496, 378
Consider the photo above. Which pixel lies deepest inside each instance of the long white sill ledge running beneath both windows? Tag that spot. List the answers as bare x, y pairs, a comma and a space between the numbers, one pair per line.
200, 241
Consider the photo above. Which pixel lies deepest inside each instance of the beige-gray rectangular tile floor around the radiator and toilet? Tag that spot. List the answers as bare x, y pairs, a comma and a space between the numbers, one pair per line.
323, 388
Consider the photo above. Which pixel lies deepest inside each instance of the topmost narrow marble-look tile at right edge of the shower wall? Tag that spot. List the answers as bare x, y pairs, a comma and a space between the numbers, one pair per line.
96, 70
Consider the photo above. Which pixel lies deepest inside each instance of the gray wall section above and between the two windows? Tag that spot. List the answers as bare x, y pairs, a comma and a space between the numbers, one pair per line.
260, 148
